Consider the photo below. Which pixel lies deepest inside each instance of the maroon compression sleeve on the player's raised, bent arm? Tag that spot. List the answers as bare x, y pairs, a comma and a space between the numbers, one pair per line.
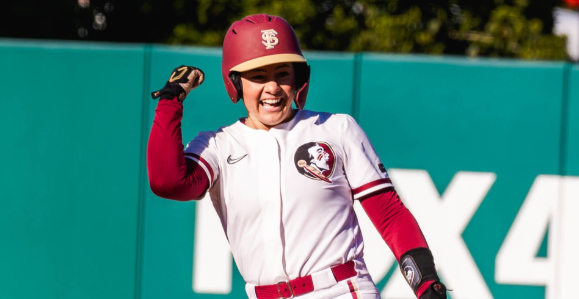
171, 175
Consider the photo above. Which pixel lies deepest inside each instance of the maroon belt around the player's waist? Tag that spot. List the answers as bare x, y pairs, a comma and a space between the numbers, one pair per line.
301, 285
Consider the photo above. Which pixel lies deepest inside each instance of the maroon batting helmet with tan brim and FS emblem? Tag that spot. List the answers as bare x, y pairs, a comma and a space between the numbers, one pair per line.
259, 40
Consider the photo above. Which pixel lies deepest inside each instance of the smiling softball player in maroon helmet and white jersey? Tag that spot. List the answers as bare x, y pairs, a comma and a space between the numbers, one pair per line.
283, 181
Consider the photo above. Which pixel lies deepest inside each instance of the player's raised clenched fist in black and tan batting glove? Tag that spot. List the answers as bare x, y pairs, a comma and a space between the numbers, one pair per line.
182, 81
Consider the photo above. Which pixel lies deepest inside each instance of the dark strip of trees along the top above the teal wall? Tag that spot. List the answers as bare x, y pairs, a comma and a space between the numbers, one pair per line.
497, 28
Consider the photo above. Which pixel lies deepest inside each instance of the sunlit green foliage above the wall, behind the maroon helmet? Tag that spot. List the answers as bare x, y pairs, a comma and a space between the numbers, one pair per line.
485, 28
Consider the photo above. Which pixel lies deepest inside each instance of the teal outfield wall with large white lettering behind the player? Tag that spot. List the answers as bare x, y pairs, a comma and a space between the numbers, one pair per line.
77, 219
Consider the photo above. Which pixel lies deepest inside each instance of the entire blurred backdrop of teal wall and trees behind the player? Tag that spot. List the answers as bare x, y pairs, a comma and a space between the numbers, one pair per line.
473, 106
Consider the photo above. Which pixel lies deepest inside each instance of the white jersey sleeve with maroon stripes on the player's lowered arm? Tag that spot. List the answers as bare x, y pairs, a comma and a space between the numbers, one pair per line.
365, 172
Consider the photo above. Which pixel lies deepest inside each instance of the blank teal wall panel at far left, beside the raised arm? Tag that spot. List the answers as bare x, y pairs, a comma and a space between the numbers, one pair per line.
71, 119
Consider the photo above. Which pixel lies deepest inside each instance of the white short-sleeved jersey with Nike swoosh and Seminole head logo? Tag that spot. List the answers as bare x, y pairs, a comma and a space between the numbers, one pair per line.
285, 196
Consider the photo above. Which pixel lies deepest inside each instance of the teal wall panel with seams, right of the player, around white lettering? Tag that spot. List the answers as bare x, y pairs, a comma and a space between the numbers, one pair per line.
446, 115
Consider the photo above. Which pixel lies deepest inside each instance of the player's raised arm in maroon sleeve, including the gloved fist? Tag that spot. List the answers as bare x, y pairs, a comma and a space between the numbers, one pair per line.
170, 174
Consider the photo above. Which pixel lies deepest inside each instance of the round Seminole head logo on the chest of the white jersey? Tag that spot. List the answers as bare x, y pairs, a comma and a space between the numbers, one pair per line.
316, 161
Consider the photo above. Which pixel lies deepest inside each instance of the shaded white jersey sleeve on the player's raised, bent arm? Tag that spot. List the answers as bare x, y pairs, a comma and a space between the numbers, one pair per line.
203, 150
